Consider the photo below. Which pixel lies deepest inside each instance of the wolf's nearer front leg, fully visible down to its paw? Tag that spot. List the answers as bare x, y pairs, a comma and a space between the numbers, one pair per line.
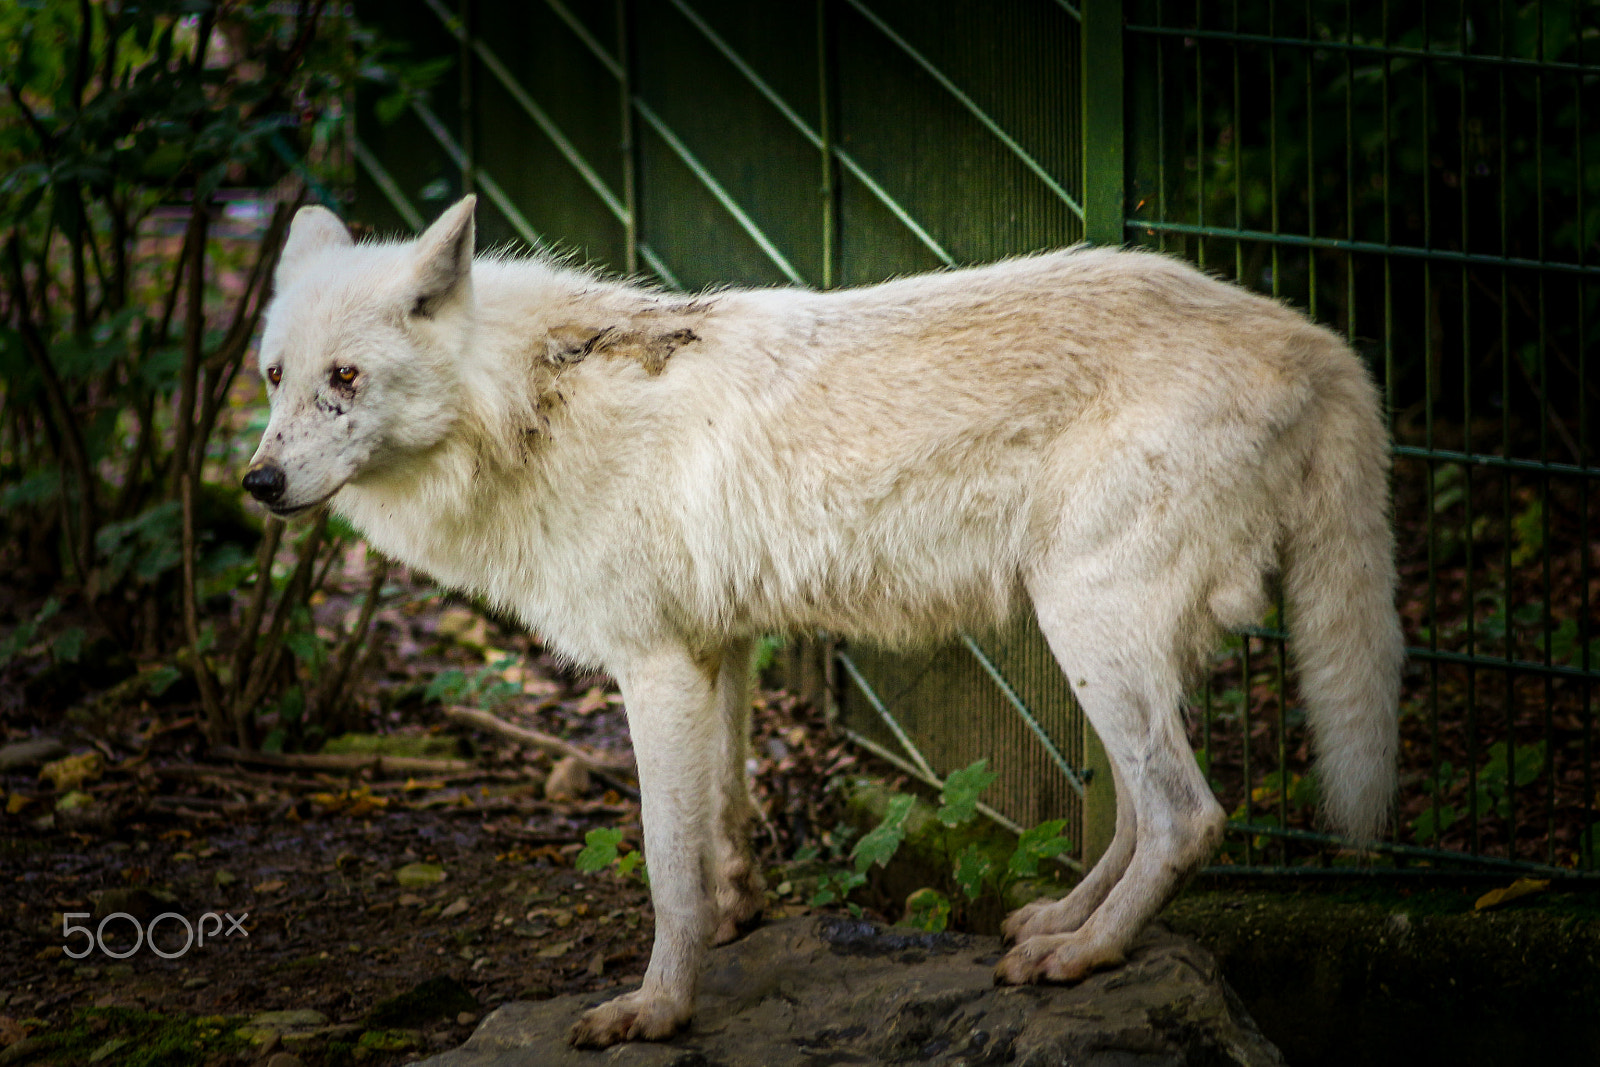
673, 719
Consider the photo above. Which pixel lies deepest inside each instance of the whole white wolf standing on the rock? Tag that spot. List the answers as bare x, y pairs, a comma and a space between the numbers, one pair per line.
650, 481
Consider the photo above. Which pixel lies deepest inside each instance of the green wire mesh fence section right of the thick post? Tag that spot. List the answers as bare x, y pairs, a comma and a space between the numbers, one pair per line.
1423, 178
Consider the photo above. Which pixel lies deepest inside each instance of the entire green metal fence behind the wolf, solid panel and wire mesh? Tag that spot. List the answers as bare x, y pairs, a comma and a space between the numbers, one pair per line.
1417, 175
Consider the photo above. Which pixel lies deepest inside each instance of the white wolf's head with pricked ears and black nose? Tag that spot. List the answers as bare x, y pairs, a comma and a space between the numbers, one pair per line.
361, 354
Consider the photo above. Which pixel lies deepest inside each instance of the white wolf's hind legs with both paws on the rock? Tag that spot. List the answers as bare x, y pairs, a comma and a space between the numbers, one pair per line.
1119, 645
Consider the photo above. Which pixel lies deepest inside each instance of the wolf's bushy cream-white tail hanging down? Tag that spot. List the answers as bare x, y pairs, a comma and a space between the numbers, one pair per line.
1340, 589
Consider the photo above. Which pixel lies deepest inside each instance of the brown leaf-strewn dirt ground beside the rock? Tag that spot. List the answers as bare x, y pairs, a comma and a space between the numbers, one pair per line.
369, 916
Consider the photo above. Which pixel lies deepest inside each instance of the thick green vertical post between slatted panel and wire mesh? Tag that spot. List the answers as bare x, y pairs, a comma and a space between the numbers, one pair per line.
1103, 225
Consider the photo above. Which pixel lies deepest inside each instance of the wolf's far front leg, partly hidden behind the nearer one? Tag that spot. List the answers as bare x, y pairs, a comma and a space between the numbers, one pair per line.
740, 885
